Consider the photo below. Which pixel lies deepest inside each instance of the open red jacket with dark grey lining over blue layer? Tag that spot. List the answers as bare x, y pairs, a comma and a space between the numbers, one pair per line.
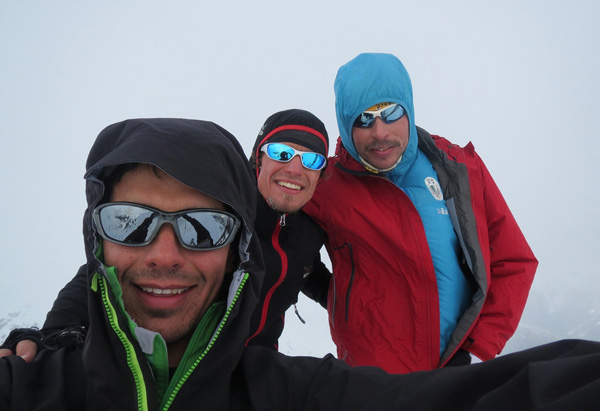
383, 302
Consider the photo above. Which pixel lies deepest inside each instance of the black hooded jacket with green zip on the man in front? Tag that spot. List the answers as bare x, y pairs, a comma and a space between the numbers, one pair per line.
110, 371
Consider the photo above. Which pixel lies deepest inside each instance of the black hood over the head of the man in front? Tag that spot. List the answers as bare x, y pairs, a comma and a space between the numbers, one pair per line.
200, 154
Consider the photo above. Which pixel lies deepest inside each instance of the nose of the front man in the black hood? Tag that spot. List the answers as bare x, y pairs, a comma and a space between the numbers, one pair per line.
165, 251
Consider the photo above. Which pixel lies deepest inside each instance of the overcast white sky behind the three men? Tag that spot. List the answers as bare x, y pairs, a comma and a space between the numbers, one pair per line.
517, 78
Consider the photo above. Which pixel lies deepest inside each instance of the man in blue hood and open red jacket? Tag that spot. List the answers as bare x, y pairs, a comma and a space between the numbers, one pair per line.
429, 264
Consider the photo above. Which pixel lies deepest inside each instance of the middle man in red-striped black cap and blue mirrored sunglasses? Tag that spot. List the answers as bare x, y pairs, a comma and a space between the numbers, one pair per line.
290, 240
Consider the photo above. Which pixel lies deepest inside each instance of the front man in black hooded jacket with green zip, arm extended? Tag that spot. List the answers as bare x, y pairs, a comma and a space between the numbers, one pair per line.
173, 171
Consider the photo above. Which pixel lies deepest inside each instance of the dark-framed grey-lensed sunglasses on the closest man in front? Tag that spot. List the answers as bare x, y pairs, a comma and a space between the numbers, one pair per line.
136, 225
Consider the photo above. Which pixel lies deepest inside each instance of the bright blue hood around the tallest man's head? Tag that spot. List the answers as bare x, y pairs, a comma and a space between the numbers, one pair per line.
369, 79
